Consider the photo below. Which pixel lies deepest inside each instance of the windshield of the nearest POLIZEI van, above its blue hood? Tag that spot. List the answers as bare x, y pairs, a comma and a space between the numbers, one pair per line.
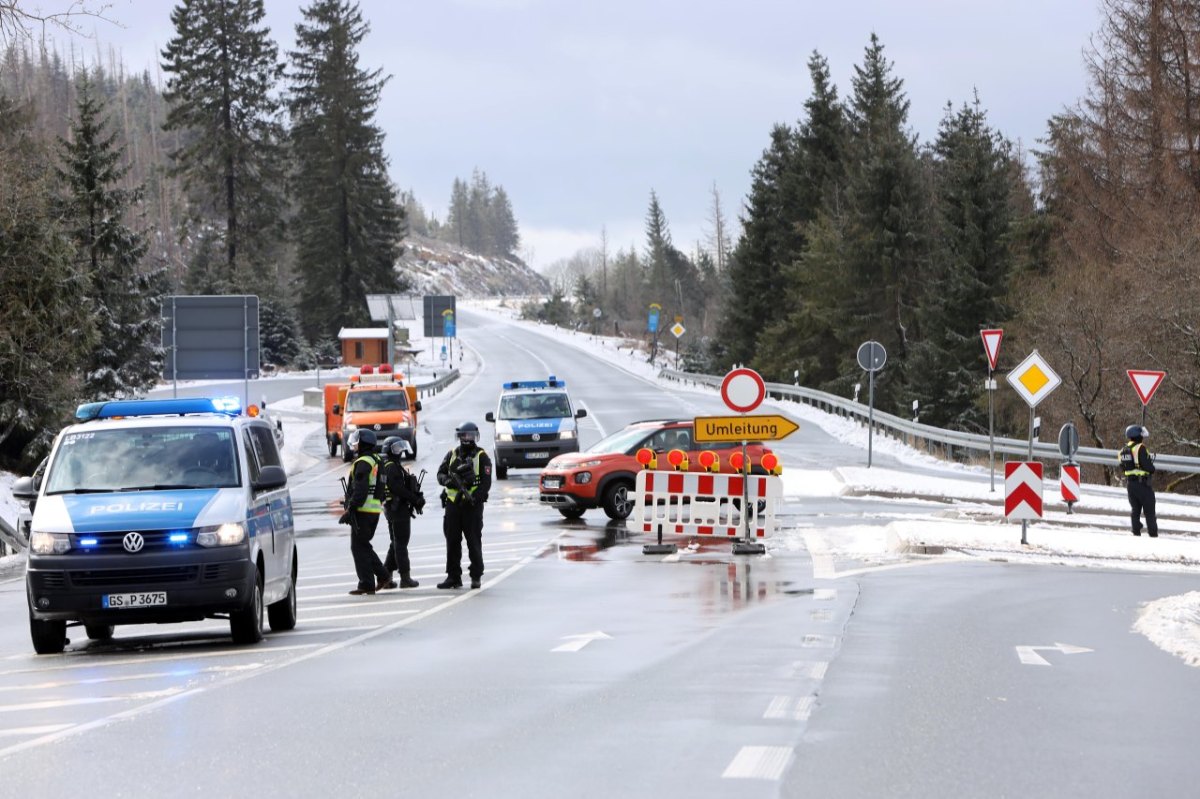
145, 459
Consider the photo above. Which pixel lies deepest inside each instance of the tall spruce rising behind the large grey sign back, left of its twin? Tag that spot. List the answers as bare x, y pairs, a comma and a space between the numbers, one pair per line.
224, 69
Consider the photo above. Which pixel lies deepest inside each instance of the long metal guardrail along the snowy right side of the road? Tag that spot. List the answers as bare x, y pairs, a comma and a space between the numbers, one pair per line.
913, 432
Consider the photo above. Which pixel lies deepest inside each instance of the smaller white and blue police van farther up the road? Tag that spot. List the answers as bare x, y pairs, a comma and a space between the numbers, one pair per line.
535, 422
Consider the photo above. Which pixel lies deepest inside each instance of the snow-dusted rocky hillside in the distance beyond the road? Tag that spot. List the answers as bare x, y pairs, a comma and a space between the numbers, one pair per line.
440, 268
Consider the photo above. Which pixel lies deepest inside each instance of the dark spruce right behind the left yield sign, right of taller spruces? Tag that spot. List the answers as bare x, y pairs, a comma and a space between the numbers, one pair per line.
973, 263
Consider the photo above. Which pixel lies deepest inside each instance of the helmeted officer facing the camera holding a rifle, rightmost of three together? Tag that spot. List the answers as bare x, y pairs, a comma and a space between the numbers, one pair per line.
466, 474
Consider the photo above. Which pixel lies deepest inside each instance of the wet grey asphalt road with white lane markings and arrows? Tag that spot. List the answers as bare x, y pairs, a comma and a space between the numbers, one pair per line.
587, 669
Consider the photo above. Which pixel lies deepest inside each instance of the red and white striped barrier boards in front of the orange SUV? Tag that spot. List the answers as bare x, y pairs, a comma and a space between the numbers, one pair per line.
703, 504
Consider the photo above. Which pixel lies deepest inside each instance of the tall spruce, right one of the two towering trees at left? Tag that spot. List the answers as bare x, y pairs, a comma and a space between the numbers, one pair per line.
350, 224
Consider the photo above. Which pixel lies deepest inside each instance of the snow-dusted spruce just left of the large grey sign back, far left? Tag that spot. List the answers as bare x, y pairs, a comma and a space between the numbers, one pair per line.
124, 302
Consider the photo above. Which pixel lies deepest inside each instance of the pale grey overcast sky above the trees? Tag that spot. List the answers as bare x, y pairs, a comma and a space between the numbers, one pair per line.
579, 109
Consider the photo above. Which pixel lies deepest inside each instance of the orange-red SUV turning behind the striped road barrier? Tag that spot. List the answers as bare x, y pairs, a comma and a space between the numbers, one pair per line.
603, 476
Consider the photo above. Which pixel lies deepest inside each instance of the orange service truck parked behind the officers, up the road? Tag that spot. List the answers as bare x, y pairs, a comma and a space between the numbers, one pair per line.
377, 401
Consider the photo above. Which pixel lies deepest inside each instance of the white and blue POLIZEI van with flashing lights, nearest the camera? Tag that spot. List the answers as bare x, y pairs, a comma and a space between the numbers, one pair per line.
154, 512
